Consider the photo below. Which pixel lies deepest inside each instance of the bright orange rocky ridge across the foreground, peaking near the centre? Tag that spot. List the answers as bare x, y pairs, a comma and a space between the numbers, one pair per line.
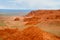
30, 33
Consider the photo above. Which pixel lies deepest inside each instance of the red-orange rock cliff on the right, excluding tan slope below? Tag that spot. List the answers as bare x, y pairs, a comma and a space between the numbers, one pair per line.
42, 16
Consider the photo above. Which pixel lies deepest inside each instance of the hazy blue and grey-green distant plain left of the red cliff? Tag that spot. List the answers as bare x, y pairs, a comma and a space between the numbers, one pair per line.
11, 12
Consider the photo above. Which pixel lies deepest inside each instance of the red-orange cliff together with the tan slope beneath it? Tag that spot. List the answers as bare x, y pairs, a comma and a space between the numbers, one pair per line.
48, 20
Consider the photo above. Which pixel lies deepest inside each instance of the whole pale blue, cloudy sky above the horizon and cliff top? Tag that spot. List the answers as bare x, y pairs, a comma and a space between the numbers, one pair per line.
30, 4
